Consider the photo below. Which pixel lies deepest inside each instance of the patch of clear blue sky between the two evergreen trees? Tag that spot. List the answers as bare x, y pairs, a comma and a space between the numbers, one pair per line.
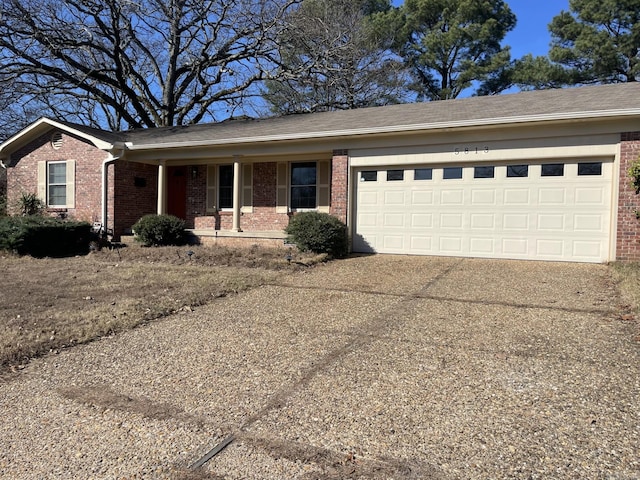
531, 34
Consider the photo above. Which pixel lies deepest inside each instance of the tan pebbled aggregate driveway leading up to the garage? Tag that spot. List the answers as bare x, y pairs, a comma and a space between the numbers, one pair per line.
387, 367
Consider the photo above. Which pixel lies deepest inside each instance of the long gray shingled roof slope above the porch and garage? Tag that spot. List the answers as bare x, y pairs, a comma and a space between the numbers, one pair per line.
508, 108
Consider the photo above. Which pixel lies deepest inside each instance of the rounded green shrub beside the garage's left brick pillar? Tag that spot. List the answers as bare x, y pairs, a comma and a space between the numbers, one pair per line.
318, 233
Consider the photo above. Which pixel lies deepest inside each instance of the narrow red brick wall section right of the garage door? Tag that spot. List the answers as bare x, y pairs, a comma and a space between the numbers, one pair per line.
628, 237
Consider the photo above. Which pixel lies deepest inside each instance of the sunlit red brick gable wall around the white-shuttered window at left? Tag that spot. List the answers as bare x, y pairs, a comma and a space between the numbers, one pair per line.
22, 174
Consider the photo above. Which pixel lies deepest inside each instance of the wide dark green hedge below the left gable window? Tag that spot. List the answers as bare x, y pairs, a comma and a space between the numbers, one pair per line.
44, 236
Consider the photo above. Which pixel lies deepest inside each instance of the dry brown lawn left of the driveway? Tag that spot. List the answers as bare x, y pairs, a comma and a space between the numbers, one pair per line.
49, 304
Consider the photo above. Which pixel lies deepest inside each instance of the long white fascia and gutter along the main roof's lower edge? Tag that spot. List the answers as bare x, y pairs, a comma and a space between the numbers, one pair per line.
484, 122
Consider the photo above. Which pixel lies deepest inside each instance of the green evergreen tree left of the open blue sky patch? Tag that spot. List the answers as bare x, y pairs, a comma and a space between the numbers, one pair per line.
451, 45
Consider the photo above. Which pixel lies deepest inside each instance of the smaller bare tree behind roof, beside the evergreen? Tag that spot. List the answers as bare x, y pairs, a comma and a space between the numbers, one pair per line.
334, 60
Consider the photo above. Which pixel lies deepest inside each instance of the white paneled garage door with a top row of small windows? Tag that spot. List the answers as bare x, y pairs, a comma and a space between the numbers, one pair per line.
550, 211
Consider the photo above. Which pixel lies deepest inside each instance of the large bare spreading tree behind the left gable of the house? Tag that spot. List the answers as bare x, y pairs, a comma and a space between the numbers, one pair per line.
146, 63
